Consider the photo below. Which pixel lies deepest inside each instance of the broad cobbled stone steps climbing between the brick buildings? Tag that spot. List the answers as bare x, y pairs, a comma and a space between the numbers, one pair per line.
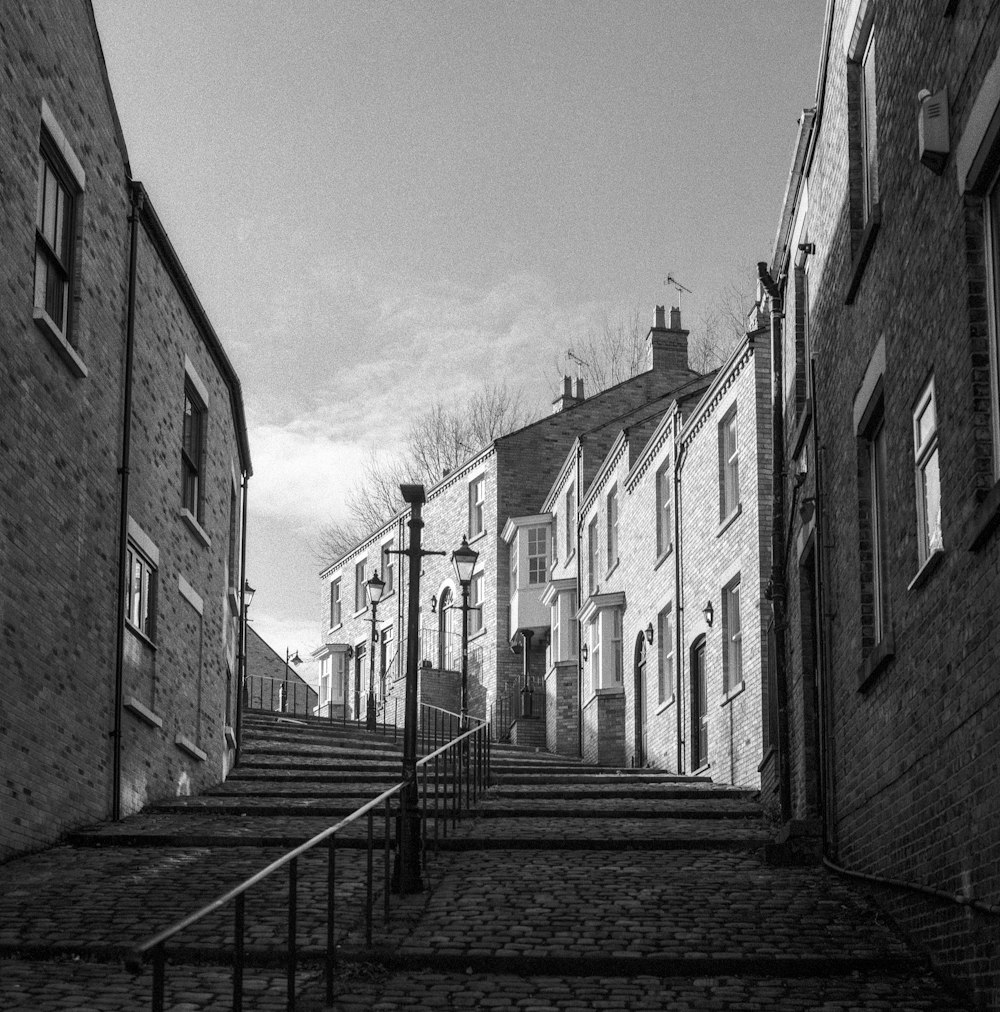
574, 888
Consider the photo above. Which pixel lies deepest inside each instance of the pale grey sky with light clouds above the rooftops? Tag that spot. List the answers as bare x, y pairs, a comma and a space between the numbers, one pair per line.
380, 205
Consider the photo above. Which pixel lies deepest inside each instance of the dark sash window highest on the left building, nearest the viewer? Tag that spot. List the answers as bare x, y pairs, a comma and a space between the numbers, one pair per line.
55, 239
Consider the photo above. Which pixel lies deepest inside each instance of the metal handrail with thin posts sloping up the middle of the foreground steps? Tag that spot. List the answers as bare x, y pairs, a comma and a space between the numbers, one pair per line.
450, 780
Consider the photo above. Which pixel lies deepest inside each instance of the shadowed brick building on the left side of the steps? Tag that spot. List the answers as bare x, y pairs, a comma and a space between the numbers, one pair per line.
125, 460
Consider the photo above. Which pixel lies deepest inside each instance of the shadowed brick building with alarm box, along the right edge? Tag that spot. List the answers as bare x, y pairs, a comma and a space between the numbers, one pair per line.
887, 580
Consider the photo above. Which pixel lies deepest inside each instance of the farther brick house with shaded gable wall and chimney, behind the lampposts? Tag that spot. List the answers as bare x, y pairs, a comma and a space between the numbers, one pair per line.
509, 481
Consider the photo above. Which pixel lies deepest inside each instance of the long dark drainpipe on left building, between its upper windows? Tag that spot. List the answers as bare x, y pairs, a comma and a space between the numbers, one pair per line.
138, 197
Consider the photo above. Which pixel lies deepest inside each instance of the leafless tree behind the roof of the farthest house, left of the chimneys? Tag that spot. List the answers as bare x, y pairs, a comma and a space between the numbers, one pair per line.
437, 442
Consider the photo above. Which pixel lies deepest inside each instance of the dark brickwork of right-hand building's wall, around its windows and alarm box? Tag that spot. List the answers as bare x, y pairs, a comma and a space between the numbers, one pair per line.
910, 776
